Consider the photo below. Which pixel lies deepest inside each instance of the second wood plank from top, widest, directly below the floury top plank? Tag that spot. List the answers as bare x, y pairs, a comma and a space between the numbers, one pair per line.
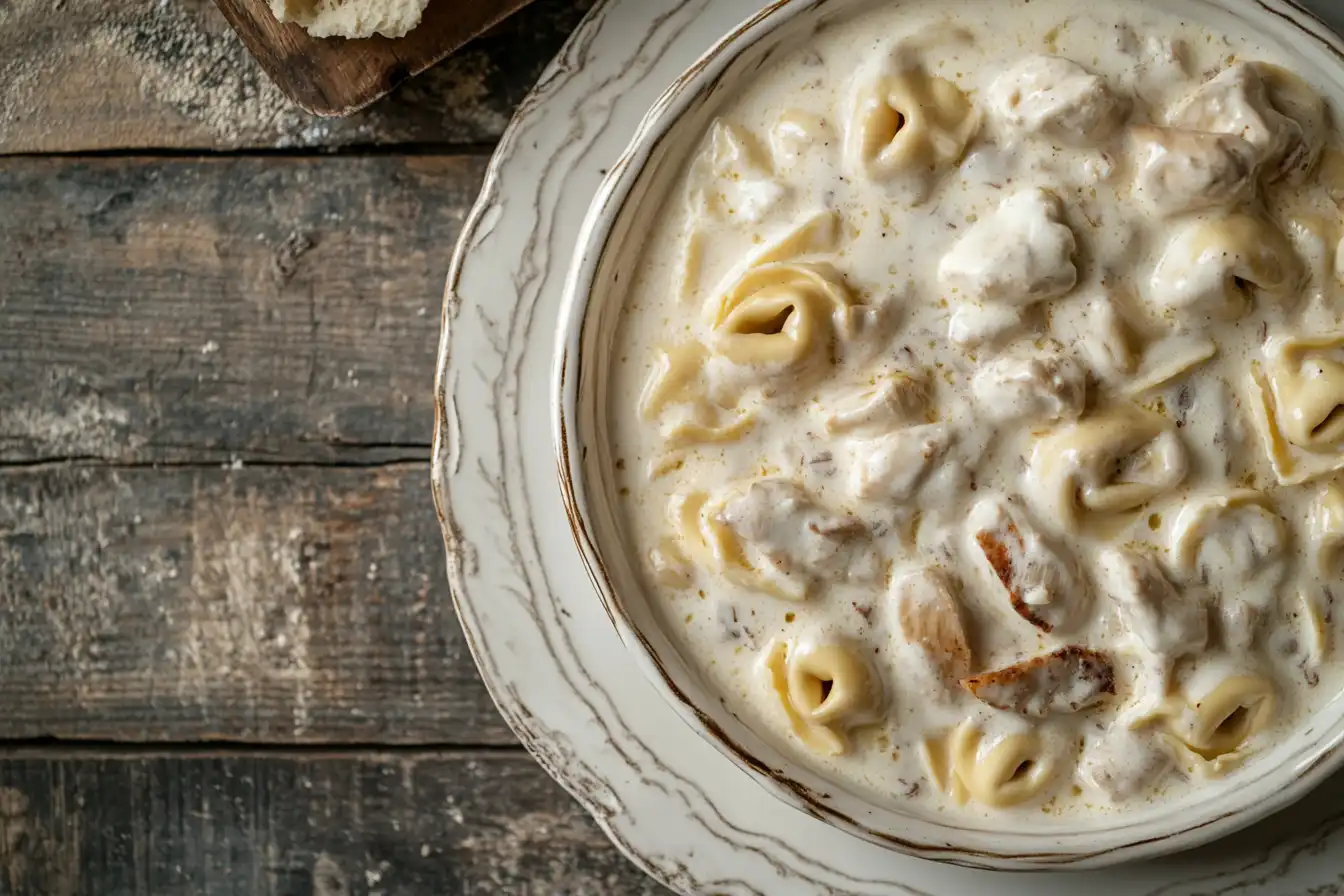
255, 308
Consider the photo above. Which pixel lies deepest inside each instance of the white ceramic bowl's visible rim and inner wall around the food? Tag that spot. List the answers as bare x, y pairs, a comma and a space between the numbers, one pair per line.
608, 249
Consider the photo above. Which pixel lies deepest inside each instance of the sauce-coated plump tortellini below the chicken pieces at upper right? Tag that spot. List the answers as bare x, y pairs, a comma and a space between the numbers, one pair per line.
1209, 267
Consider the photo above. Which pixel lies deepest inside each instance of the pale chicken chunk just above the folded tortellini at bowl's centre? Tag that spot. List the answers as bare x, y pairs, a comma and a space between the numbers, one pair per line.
1041, 388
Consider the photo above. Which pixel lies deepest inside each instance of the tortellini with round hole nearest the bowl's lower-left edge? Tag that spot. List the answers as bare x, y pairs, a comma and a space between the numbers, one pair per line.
825, 690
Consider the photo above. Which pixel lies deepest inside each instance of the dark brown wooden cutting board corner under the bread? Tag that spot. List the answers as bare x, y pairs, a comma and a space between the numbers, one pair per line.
337, 77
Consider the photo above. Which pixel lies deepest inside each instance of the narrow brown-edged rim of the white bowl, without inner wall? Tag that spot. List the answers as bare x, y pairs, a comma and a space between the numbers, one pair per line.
595, 237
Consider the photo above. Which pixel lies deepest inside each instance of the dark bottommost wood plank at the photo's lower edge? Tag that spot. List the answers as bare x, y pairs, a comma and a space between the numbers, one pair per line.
256, 825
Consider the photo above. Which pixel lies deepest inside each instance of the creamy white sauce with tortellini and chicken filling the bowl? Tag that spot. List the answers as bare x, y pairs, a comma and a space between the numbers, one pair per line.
980, 401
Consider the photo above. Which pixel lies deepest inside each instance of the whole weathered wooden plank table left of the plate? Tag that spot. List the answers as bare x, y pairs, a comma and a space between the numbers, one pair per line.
229, 662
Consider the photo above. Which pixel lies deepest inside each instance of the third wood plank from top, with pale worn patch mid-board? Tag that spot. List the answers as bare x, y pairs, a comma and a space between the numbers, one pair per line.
268, 605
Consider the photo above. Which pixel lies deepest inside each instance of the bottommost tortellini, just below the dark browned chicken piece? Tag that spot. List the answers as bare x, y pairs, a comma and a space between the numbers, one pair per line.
1013, 769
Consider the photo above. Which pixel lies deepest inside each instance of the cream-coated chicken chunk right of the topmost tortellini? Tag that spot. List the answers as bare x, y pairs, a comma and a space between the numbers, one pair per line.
1056, 99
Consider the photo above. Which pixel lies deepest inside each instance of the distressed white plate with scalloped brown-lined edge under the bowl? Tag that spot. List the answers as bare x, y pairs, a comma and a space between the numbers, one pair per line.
546, 649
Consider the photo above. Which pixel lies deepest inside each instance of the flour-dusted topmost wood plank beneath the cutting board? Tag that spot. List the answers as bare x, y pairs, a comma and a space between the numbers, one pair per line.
151, 75
